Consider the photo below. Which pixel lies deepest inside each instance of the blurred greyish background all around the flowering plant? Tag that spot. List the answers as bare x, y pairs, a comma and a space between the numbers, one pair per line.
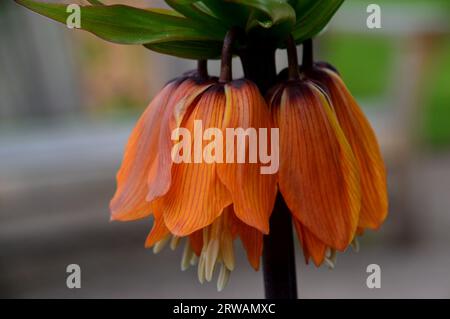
69, 100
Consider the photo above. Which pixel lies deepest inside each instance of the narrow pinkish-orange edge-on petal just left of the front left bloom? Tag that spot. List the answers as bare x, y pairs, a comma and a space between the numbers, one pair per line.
175, 110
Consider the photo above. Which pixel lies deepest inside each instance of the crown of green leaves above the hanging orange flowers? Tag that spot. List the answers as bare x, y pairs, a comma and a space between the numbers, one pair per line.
195, 29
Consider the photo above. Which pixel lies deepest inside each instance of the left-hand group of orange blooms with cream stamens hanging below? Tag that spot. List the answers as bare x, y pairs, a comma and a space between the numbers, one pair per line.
210, 203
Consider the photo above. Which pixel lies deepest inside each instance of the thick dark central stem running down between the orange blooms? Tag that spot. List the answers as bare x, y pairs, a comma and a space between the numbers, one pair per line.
258, 61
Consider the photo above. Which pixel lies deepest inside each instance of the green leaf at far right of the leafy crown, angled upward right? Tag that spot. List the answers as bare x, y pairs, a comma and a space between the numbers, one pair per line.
312, 17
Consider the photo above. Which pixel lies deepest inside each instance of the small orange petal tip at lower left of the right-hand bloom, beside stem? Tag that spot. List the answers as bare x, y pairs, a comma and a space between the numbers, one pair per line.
312, 246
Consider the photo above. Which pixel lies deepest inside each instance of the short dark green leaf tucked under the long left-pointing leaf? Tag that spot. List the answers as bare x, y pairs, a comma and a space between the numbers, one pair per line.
197, 50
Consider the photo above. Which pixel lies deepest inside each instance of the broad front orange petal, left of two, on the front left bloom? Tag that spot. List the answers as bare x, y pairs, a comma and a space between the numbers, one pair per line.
196, 196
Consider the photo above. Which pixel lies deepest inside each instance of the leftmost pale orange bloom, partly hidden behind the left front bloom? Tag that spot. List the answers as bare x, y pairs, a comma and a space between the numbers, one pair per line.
140, 159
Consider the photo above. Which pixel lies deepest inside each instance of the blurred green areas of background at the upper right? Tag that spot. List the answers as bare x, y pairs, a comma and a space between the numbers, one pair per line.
365, 63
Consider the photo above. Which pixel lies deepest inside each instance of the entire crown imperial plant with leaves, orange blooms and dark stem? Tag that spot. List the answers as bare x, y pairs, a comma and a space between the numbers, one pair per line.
331, 175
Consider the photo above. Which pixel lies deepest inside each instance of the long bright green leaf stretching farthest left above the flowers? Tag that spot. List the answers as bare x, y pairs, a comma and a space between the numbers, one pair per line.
128, 25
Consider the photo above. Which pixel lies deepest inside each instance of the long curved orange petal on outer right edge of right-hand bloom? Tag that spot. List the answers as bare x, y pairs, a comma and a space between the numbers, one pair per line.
364, 144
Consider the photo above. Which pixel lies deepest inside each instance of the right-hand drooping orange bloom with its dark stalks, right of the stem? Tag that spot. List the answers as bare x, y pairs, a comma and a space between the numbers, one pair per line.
332, 175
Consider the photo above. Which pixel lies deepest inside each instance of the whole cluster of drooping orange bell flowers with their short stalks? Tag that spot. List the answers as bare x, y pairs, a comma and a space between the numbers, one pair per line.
331, 174
